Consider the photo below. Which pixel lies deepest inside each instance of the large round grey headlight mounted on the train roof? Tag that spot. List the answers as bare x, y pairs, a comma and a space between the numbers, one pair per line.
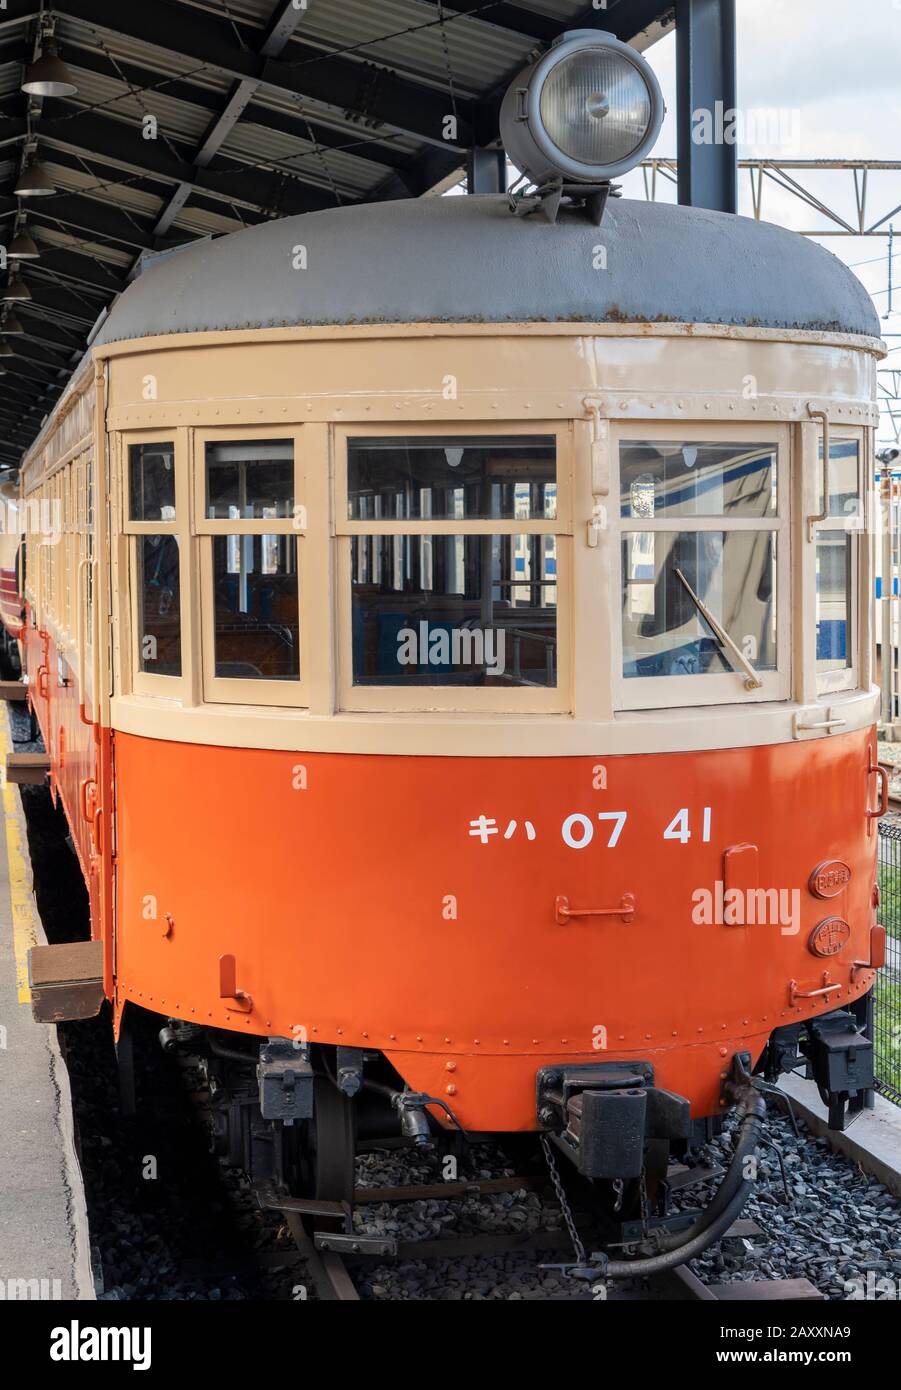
586, 112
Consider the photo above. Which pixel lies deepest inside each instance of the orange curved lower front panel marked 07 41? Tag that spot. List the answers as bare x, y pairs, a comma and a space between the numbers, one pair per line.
408, 904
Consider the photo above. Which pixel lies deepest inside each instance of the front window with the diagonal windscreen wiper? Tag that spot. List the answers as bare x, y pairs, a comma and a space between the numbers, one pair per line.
704, 558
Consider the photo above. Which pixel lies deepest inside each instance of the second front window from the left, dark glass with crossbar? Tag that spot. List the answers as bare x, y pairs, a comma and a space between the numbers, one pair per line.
251, 519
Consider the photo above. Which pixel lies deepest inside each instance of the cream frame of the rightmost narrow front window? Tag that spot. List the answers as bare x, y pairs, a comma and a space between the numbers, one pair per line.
847, 679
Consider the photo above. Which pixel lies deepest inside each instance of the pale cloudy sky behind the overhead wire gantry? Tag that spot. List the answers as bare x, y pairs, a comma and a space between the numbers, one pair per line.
829, 72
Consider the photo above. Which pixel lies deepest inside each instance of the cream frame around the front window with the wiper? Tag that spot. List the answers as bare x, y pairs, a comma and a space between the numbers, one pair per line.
653, 693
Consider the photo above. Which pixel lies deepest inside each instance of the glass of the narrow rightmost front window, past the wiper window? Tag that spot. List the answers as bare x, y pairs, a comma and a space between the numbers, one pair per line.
838, 546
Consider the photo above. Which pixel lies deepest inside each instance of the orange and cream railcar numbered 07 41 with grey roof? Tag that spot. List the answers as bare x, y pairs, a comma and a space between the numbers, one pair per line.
457, 668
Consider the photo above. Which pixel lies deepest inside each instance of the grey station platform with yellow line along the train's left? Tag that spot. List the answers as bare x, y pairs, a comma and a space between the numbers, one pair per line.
45, 1248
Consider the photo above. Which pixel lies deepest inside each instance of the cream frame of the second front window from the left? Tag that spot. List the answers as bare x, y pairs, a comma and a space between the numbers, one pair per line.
226, 690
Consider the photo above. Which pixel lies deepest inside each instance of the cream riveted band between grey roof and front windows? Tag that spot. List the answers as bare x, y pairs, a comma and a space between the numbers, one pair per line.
425, 373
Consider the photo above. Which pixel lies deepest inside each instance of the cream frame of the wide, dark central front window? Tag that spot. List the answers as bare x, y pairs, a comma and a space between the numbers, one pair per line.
464, 700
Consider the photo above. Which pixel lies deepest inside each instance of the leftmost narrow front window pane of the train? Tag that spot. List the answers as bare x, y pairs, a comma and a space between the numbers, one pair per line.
155, 558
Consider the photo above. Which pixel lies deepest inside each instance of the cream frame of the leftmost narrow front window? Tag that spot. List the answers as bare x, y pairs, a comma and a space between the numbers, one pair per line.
149, 683
